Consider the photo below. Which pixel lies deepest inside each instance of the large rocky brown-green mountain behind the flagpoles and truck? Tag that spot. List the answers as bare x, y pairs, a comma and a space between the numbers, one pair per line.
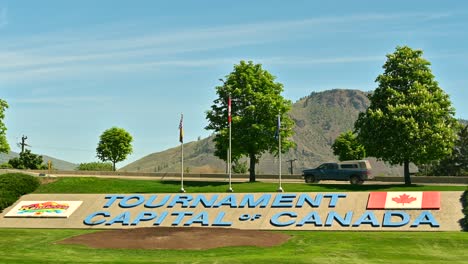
319, 118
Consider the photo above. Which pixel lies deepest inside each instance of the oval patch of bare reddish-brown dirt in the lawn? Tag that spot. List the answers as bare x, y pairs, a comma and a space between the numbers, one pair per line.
178, 238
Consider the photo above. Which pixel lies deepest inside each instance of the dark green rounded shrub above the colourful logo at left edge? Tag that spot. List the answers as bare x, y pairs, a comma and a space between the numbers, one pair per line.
13, 185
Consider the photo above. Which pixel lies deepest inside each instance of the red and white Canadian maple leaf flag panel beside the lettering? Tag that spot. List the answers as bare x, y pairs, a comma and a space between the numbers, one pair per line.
404, 200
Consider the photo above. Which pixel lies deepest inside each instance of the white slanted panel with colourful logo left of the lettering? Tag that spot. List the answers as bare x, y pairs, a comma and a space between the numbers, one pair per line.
44, 209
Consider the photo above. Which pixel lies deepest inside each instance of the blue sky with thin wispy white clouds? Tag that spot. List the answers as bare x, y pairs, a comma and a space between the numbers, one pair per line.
69, 70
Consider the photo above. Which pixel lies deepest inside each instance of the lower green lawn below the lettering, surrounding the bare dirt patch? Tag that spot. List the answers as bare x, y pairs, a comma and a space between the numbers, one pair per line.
38, 246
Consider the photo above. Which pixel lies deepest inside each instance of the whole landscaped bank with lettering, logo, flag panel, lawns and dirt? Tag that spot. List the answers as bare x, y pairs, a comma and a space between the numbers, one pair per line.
95, 220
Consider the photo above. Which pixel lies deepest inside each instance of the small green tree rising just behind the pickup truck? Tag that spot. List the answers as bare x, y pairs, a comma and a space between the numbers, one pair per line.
347, 147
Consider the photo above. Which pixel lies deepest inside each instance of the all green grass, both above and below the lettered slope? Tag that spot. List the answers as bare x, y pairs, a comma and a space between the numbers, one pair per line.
38, 245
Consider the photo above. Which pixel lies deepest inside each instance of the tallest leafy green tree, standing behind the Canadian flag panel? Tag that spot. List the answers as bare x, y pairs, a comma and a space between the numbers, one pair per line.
410, 118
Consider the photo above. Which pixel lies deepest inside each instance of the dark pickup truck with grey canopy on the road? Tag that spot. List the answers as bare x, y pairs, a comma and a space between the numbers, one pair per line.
354, 171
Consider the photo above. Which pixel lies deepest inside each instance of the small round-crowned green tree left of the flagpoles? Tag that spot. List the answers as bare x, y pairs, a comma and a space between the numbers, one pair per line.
115, 145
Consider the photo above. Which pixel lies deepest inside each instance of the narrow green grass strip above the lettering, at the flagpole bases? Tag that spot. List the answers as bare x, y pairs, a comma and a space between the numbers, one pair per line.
102, 185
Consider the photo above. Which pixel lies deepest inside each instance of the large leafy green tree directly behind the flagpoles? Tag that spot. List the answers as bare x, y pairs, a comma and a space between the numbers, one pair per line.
256, 103
